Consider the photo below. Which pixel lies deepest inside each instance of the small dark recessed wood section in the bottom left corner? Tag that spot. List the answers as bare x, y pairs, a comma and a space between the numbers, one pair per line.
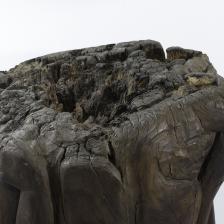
9, 198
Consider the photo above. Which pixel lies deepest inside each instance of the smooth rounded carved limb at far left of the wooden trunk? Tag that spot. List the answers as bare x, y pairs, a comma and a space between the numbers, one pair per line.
32, 202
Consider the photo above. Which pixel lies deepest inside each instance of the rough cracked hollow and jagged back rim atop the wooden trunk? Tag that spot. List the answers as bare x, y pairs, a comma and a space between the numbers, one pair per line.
103, 82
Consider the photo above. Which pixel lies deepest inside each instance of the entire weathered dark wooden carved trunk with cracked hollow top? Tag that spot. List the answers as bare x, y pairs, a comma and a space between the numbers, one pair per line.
116, 134
